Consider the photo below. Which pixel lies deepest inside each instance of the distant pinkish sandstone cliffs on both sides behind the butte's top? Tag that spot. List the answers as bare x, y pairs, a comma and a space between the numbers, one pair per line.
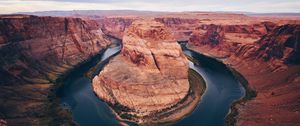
183, 24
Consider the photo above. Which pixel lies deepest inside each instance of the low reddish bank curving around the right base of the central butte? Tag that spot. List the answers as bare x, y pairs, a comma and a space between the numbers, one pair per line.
178, 111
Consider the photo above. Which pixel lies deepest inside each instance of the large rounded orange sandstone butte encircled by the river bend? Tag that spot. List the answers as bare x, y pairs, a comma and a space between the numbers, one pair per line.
144, 78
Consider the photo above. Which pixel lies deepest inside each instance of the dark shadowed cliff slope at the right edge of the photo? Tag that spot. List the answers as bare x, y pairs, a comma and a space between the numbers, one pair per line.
281, 44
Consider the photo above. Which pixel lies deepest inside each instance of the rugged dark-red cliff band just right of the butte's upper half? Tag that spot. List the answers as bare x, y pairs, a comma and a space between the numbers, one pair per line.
213, 34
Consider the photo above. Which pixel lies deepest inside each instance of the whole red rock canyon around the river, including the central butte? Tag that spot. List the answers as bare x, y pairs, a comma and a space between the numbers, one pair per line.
36, 51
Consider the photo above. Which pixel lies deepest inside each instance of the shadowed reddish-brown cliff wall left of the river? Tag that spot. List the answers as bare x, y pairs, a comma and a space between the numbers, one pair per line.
41, 47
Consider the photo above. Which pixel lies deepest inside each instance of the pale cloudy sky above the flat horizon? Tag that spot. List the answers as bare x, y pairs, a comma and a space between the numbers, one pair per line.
262, 6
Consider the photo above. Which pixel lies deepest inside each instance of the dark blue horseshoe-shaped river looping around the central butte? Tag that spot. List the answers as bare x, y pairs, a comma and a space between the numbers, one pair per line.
222, 90
